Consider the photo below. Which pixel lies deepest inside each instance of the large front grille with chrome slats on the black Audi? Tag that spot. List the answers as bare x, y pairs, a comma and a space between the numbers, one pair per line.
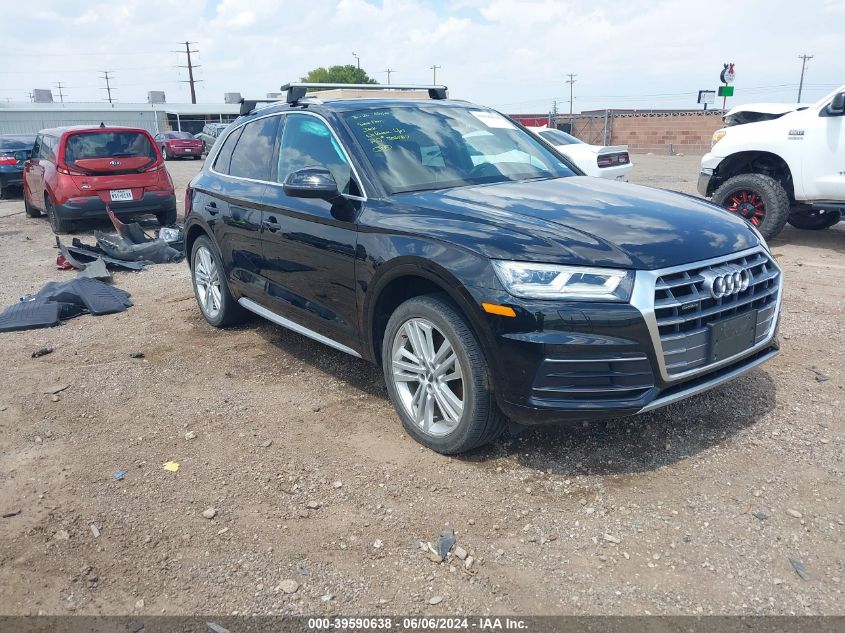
684, 308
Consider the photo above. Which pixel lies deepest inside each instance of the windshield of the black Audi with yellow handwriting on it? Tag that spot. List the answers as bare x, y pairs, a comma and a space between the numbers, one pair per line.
417, 149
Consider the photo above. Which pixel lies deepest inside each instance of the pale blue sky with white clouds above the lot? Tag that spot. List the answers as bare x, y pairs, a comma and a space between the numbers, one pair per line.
509, 54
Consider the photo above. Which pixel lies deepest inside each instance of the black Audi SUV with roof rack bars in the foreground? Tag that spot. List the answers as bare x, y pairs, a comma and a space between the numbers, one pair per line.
486, 288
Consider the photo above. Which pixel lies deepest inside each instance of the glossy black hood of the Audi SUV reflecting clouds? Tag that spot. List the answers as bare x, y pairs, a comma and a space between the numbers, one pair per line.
577, 220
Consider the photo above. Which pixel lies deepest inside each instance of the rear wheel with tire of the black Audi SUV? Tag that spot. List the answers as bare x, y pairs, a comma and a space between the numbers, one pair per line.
211, 290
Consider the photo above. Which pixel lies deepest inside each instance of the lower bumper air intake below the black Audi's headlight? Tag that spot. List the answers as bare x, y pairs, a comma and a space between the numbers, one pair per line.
583, 380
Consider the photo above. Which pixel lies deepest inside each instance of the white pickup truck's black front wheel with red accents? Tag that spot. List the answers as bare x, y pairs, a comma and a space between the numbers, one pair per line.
760, 199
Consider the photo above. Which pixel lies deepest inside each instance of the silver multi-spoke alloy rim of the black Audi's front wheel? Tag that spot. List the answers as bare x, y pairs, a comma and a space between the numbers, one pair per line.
428, 377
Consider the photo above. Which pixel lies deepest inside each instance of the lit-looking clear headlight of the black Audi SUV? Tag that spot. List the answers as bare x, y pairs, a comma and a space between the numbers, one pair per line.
550, 281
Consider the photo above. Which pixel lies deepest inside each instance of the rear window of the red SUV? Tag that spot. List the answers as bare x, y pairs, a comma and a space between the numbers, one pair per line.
88, 150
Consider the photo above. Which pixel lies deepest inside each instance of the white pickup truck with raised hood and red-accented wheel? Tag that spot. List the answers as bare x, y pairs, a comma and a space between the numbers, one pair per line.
774, 164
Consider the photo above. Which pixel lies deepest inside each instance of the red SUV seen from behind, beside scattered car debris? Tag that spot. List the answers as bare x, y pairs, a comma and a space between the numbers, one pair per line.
74, 172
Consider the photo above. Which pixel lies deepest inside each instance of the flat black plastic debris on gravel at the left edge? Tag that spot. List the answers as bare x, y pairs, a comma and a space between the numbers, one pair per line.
58, 301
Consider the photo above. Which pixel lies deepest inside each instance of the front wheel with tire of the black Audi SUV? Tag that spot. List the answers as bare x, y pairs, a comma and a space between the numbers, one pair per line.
437, 377
